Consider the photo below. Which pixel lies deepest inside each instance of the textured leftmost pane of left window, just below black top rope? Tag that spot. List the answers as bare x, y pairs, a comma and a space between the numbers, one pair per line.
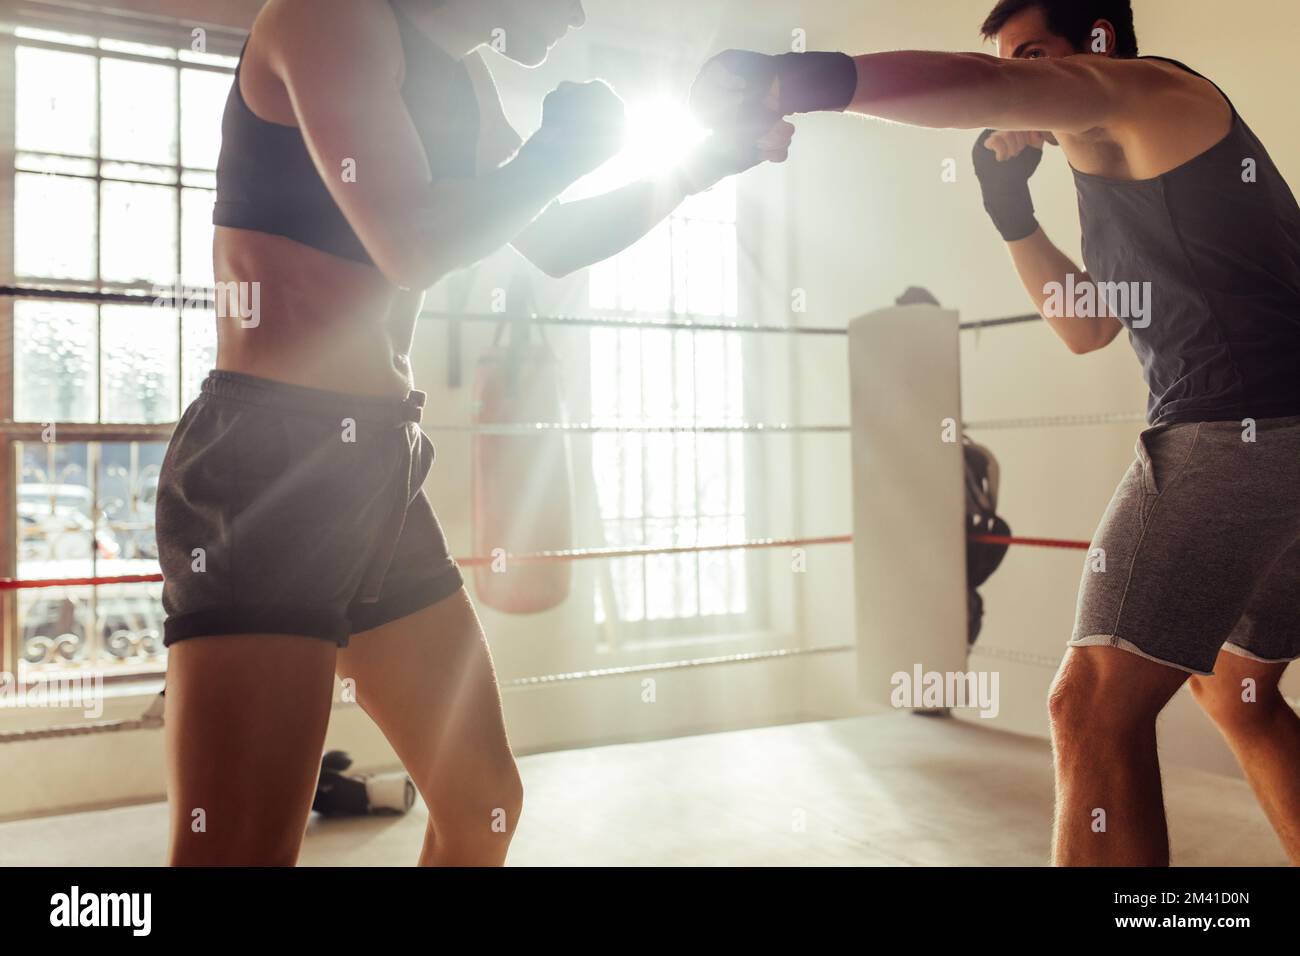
54, 362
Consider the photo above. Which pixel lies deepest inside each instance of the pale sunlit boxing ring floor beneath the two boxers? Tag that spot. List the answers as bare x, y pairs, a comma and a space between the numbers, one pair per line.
891, 790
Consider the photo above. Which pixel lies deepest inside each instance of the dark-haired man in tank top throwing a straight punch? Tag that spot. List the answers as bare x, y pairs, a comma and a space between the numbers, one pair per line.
1202, 542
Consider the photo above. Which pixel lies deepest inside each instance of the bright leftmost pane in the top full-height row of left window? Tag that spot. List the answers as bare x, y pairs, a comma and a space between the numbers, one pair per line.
55, 102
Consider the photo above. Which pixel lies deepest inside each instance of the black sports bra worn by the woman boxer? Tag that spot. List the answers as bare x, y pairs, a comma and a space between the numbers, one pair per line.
268, 183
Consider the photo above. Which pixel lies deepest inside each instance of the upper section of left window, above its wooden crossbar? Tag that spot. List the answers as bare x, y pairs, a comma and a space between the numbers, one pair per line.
115, 175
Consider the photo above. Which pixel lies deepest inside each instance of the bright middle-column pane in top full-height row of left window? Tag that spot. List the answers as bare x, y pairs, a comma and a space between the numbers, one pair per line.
140, 113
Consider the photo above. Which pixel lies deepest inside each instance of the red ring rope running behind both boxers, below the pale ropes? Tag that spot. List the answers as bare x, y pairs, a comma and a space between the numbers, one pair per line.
580, 555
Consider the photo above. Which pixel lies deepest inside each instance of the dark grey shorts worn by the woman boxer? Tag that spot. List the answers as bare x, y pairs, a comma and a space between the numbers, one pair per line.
291, 511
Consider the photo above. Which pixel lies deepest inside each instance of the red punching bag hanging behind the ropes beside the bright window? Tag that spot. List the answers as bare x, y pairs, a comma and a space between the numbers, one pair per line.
522, 483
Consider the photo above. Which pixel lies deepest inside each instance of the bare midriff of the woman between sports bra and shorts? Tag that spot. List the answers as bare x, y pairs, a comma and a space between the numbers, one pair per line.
322, 322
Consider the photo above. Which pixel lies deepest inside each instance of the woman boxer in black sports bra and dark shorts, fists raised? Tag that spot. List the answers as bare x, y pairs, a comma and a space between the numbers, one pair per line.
366, 155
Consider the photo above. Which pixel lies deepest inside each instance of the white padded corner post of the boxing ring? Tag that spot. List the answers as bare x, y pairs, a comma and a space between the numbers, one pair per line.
909, 500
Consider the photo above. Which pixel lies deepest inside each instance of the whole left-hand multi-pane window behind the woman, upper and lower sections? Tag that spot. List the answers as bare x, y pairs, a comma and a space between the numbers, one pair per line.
115, 150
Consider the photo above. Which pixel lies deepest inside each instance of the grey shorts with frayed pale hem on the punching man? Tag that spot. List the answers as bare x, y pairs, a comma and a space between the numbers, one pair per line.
1202, 550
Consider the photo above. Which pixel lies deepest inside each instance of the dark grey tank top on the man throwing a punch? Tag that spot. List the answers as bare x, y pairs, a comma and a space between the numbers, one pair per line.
1219, 243
